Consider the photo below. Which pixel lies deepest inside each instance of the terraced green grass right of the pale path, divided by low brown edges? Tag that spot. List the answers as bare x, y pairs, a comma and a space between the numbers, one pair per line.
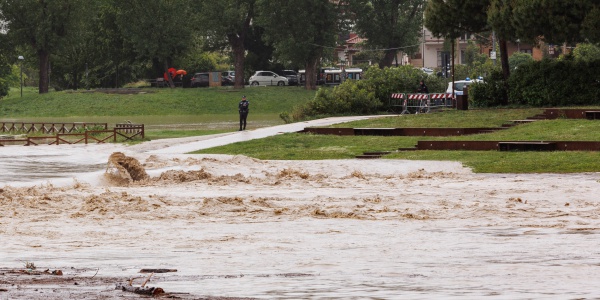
302, 146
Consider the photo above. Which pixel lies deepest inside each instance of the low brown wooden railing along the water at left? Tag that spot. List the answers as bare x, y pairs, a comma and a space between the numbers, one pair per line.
121, 132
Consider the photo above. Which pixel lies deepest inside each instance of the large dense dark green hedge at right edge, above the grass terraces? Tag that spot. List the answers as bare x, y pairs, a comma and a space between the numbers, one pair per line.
543, 83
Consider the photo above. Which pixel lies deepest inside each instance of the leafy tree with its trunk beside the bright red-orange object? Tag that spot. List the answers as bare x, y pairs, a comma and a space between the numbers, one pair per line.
155, 28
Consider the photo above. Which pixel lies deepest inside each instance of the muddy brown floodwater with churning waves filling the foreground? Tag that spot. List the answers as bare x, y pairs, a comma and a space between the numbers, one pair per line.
234, 226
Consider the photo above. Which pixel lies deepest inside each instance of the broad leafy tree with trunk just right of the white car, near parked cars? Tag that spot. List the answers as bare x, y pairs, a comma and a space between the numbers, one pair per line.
301, 31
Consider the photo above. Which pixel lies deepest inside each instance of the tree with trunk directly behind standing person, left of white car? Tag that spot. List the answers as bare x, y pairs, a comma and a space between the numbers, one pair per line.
226, 24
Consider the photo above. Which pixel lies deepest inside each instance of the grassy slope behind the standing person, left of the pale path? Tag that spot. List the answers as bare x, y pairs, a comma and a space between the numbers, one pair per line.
163, 101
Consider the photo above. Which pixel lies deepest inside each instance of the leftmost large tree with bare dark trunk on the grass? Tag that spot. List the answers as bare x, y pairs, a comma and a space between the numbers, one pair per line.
42, 25
